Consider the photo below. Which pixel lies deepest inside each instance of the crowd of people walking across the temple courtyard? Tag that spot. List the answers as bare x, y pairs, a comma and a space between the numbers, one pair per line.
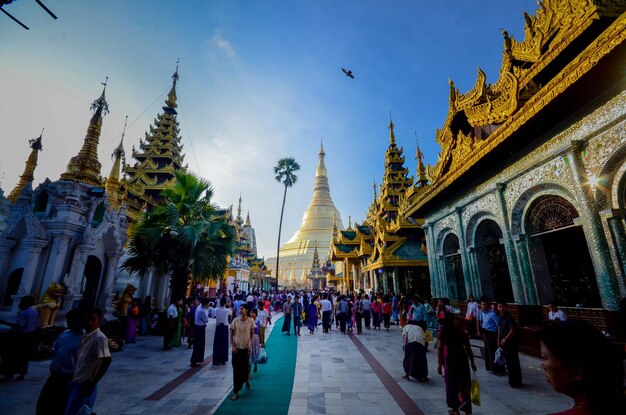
81, 356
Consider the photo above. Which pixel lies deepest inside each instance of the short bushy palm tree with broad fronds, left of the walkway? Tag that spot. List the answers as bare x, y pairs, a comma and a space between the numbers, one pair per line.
182, 236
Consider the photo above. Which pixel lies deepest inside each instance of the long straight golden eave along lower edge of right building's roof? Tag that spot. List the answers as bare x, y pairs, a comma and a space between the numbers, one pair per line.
613, 36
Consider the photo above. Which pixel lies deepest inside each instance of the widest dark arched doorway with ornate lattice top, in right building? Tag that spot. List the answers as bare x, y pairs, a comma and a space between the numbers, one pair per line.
559, 254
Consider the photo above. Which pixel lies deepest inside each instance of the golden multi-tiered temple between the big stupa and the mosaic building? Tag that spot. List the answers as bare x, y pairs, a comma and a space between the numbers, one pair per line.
386, 252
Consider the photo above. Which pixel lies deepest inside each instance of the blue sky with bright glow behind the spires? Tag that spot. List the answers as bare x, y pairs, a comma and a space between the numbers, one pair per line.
259, 80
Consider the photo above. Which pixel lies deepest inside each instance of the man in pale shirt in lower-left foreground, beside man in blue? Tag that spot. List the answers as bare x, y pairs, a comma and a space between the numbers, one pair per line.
94, 359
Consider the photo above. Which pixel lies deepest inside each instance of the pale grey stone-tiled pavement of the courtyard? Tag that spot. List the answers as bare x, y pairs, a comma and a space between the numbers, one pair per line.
332, 377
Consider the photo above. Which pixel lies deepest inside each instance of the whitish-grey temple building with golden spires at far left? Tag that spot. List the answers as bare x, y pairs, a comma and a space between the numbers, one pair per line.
62, 241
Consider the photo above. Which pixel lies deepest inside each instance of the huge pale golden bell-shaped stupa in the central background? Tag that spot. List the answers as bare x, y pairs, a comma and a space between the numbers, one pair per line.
316, 229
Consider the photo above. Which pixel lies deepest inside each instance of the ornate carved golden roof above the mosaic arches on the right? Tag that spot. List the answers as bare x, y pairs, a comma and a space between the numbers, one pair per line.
533, 74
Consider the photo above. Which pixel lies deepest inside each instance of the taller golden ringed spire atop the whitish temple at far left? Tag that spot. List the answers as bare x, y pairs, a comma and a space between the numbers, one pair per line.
85, 166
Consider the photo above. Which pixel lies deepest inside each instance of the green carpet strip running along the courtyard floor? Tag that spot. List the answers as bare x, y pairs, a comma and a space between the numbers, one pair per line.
271, 386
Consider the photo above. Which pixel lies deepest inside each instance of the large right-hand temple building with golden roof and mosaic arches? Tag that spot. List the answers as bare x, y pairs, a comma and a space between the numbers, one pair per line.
526, 201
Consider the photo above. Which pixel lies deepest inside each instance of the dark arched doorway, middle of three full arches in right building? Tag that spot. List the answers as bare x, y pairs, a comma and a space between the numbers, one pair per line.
493, 268
